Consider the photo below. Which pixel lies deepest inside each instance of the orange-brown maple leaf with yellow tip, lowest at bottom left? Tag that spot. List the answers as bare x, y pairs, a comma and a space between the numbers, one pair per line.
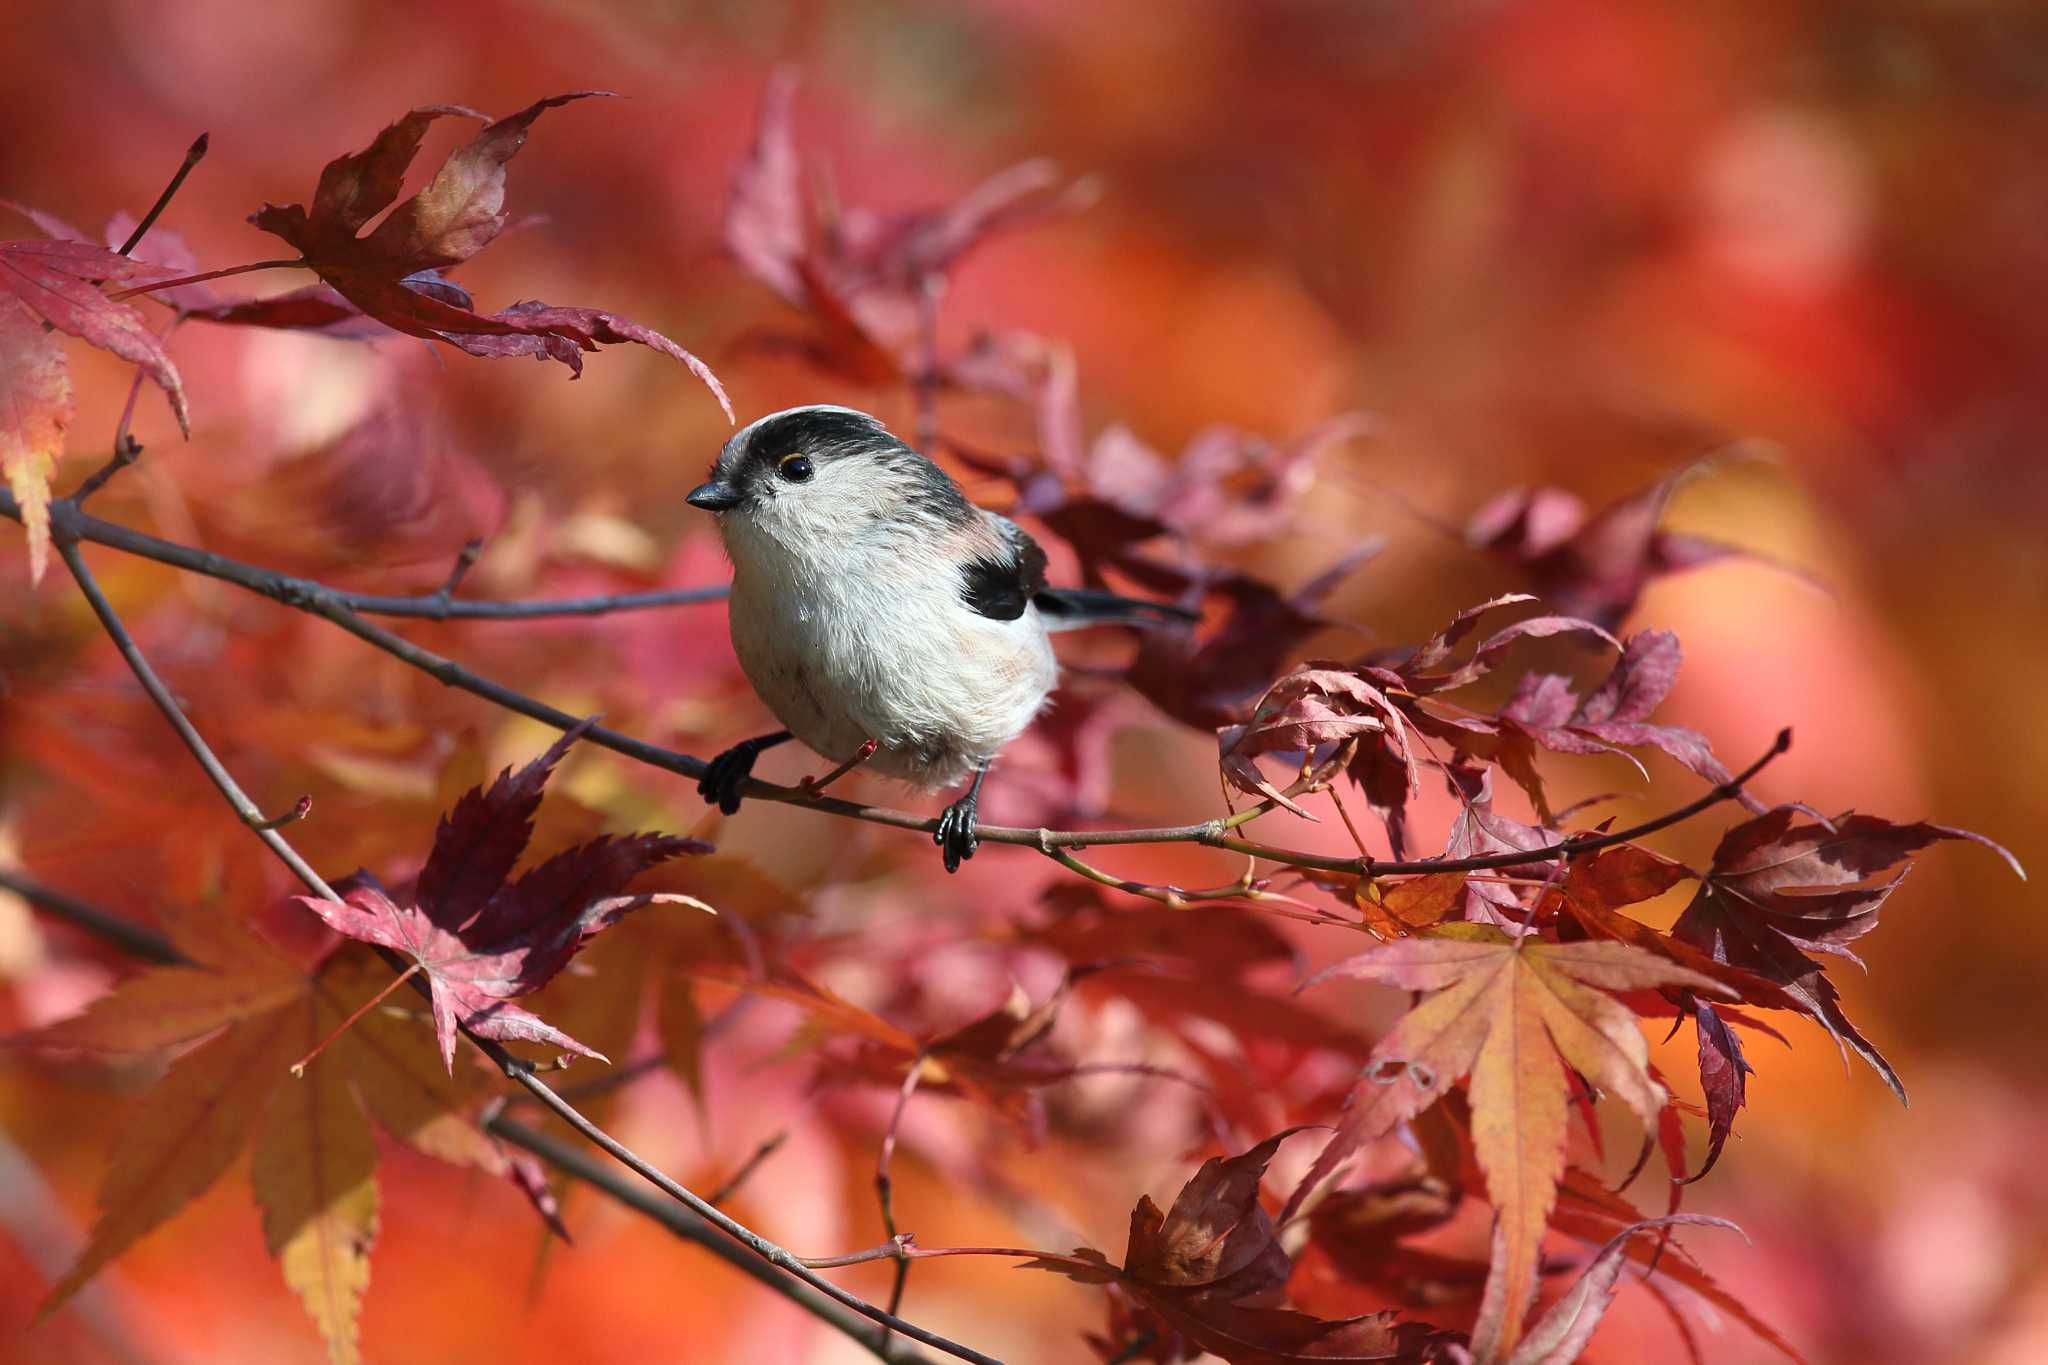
314, 1163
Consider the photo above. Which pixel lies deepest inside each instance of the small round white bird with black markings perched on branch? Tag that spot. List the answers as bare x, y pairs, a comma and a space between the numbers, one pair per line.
873, 603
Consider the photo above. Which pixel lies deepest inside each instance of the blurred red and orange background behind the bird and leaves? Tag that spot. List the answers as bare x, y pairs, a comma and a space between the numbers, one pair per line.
1564, 243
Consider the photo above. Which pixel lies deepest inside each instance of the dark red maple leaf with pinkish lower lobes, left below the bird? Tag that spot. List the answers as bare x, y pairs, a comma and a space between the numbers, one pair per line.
482, 938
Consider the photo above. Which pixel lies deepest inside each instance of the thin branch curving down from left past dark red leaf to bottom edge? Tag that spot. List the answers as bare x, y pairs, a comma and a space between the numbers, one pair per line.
513, 1067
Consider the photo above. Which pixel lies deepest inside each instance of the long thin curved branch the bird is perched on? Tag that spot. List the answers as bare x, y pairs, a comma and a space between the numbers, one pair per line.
345, 613
